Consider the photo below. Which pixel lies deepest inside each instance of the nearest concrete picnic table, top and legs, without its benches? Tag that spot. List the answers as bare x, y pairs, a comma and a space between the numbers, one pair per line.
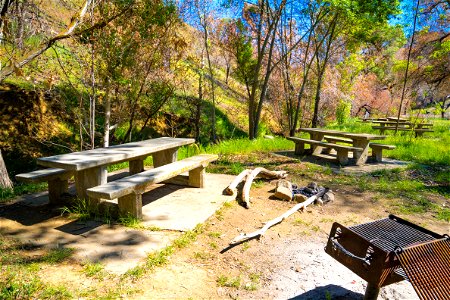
90, 166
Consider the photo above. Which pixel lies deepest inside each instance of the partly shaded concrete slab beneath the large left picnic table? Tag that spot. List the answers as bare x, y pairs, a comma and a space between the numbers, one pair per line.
33, 221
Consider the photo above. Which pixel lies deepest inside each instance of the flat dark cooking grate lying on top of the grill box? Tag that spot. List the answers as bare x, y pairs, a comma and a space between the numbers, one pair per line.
388, 234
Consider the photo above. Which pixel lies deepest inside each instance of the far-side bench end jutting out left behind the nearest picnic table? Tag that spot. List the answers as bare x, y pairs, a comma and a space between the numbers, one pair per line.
57, 179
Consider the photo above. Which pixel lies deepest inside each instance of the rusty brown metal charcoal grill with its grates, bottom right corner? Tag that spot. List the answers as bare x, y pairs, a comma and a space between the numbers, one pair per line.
390, 250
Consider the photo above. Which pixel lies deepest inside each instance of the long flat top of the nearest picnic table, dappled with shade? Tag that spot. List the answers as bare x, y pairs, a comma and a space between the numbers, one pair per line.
82, 160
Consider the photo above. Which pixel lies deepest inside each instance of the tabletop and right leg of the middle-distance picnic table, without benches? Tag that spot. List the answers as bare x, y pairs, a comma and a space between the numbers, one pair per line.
361, 140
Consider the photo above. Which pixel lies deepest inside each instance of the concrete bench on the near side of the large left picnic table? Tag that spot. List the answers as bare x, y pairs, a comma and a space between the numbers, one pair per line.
129, 190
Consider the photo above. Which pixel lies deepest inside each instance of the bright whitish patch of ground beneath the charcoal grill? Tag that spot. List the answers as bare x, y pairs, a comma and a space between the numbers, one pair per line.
310, 273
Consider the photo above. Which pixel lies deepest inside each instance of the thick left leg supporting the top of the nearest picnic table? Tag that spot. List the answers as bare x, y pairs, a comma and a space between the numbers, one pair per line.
88, 178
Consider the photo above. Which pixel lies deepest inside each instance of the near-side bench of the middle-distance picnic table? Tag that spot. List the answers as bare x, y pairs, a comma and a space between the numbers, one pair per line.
316, 148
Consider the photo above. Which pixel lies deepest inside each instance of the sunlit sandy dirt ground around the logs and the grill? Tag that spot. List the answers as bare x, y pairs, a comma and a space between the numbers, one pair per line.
287, 262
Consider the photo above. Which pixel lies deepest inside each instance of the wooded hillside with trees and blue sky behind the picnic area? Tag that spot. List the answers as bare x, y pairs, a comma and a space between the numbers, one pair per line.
75, 74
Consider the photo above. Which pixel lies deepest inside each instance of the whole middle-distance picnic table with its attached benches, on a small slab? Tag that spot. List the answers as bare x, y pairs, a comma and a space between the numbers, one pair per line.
321, 139
